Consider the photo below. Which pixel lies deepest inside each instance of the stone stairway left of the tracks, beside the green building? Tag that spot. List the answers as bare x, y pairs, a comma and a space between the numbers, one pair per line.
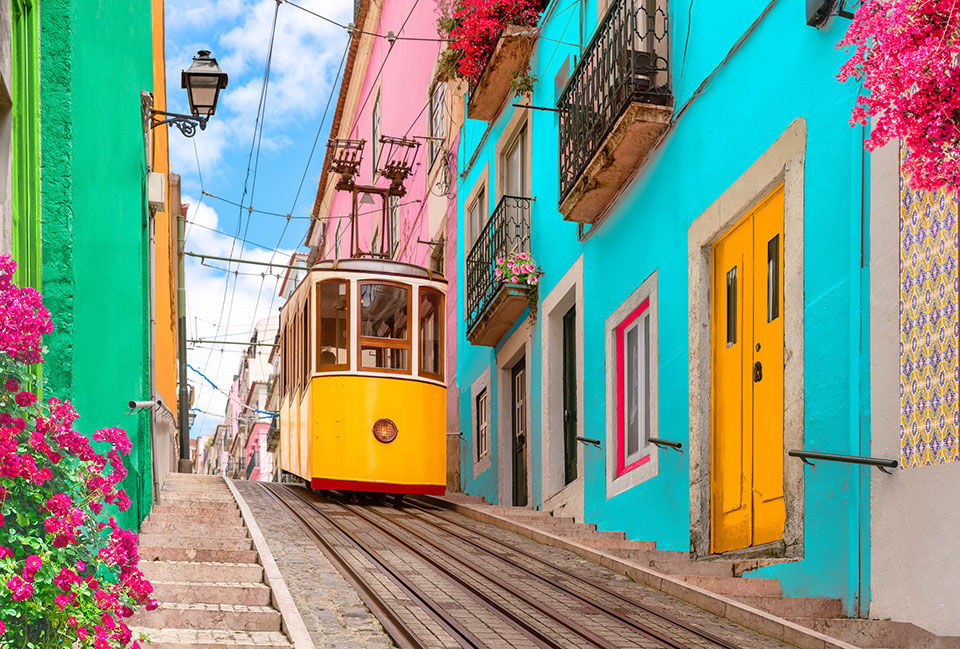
197, 553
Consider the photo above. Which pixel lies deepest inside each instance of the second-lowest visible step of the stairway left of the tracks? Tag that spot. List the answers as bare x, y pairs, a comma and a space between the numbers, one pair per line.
210, 616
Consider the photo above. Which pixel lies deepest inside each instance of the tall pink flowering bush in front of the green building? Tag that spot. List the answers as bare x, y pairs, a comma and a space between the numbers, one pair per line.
68, 573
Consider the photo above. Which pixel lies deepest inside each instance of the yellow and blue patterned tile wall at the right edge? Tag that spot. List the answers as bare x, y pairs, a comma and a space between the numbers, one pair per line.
929, 365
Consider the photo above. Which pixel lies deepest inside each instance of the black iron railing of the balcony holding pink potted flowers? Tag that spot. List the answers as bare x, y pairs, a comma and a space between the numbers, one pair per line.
508, 230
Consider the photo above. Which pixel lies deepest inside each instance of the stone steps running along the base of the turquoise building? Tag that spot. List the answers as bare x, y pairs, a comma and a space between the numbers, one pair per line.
822, 615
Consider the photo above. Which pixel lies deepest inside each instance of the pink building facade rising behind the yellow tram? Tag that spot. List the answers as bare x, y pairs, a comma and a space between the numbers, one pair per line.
381, 82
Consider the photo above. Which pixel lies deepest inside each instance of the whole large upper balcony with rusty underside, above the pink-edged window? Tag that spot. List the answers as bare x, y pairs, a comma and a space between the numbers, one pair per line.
615, 106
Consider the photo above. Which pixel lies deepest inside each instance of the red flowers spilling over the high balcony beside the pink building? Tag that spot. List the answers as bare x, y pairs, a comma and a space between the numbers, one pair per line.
474, 27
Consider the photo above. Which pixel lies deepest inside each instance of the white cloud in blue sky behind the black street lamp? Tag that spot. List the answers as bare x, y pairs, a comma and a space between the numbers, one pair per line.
306, 54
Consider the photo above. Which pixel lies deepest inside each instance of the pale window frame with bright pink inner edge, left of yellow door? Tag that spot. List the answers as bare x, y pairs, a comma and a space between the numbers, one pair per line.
634, 472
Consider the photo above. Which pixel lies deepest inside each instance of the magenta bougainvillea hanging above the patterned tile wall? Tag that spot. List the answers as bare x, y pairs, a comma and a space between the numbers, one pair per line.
907, 54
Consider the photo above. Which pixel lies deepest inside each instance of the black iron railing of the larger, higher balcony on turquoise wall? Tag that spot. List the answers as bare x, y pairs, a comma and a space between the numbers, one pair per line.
625, 62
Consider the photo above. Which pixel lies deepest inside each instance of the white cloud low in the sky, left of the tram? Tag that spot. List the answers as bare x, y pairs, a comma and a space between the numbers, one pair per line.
236, 310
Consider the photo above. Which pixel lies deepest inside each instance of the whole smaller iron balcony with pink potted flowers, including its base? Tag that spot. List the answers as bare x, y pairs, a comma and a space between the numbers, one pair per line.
492, 304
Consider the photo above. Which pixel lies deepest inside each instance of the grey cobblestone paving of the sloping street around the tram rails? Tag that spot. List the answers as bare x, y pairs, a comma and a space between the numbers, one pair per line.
336, 617
